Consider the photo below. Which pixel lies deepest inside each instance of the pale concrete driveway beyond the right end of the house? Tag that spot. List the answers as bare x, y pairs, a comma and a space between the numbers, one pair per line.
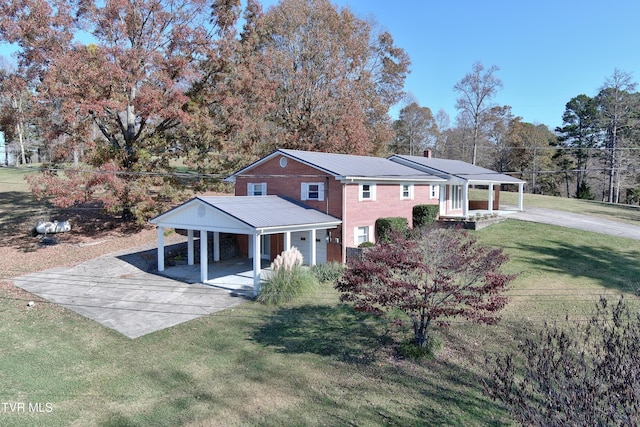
578, 221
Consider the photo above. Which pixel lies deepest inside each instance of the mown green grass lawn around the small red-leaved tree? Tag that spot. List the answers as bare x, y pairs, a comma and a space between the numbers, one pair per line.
313, 362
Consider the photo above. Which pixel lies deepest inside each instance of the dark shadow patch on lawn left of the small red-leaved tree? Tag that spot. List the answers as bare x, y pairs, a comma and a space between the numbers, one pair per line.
336, 331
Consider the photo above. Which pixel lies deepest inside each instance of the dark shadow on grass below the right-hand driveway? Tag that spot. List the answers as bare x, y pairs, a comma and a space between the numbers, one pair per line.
610, 266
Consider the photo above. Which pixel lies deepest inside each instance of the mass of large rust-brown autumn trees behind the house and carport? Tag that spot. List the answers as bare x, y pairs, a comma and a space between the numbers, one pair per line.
124, 89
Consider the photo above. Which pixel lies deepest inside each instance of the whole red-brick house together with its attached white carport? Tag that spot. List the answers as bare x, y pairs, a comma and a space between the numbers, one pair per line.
324, 203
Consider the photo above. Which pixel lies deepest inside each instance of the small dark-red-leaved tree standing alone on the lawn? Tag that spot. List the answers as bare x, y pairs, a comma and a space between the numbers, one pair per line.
439, 275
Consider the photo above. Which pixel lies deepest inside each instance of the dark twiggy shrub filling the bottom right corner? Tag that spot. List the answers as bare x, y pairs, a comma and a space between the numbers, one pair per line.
581, 374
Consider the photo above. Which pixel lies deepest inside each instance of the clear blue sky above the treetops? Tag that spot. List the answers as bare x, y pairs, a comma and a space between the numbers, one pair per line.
548, 51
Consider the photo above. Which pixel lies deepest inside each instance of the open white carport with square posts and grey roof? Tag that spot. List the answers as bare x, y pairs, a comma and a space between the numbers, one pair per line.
252, 216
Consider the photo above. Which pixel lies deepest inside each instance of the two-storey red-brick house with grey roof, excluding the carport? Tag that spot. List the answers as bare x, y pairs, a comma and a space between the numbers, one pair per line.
360, 189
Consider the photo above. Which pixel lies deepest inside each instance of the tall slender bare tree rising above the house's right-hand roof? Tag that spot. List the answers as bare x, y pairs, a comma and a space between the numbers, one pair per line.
476, 90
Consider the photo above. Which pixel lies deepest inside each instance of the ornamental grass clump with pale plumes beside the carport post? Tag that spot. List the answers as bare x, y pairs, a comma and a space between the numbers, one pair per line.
288, 279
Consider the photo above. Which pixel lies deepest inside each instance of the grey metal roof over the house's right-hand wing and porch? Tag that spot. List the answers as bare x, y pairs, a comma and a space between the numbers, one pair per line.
457, 168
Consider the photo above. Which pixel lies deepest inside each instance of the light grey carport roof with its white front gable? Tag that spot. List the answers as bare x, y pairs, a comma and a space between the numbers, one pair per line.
258, 212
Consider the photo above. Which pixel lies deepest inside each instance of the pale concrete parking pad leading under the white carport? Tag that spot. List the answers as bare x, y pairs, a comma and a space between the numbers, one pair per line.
123, 291
